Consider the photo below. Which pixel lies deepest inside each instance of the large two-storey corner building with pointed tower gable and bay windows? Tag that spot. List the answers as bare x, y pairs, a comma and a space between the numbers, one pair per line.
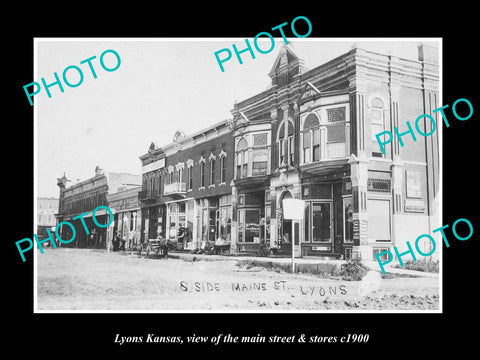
311, 136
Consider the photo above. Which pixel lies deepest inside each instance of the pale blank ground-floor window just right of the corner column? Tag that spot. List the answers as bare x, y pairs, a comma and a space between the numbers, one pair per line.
379, 220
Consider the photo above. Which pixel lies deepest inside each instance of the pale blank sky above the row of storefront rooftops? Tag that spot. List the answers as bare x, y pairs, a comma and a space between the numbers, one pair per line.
161, 86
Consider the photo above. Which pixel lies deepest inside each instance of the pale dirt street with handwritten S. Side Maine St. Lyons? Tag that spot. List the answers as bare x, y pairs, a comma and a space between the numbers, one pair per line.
81, 279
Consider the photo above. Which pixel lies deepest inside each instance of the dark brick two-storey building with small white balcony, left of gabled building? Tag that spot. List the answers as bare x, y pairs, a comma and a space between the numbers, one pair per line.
186, 191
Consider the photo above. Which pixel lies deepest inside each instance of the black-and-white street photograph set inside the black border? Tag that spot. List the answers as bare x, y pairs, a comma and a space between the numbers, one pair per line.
195, 171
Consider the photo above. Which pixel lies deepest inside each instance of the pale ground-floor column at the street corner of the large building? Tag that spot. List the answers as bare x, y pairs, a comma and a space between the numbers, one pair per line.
359, 177
